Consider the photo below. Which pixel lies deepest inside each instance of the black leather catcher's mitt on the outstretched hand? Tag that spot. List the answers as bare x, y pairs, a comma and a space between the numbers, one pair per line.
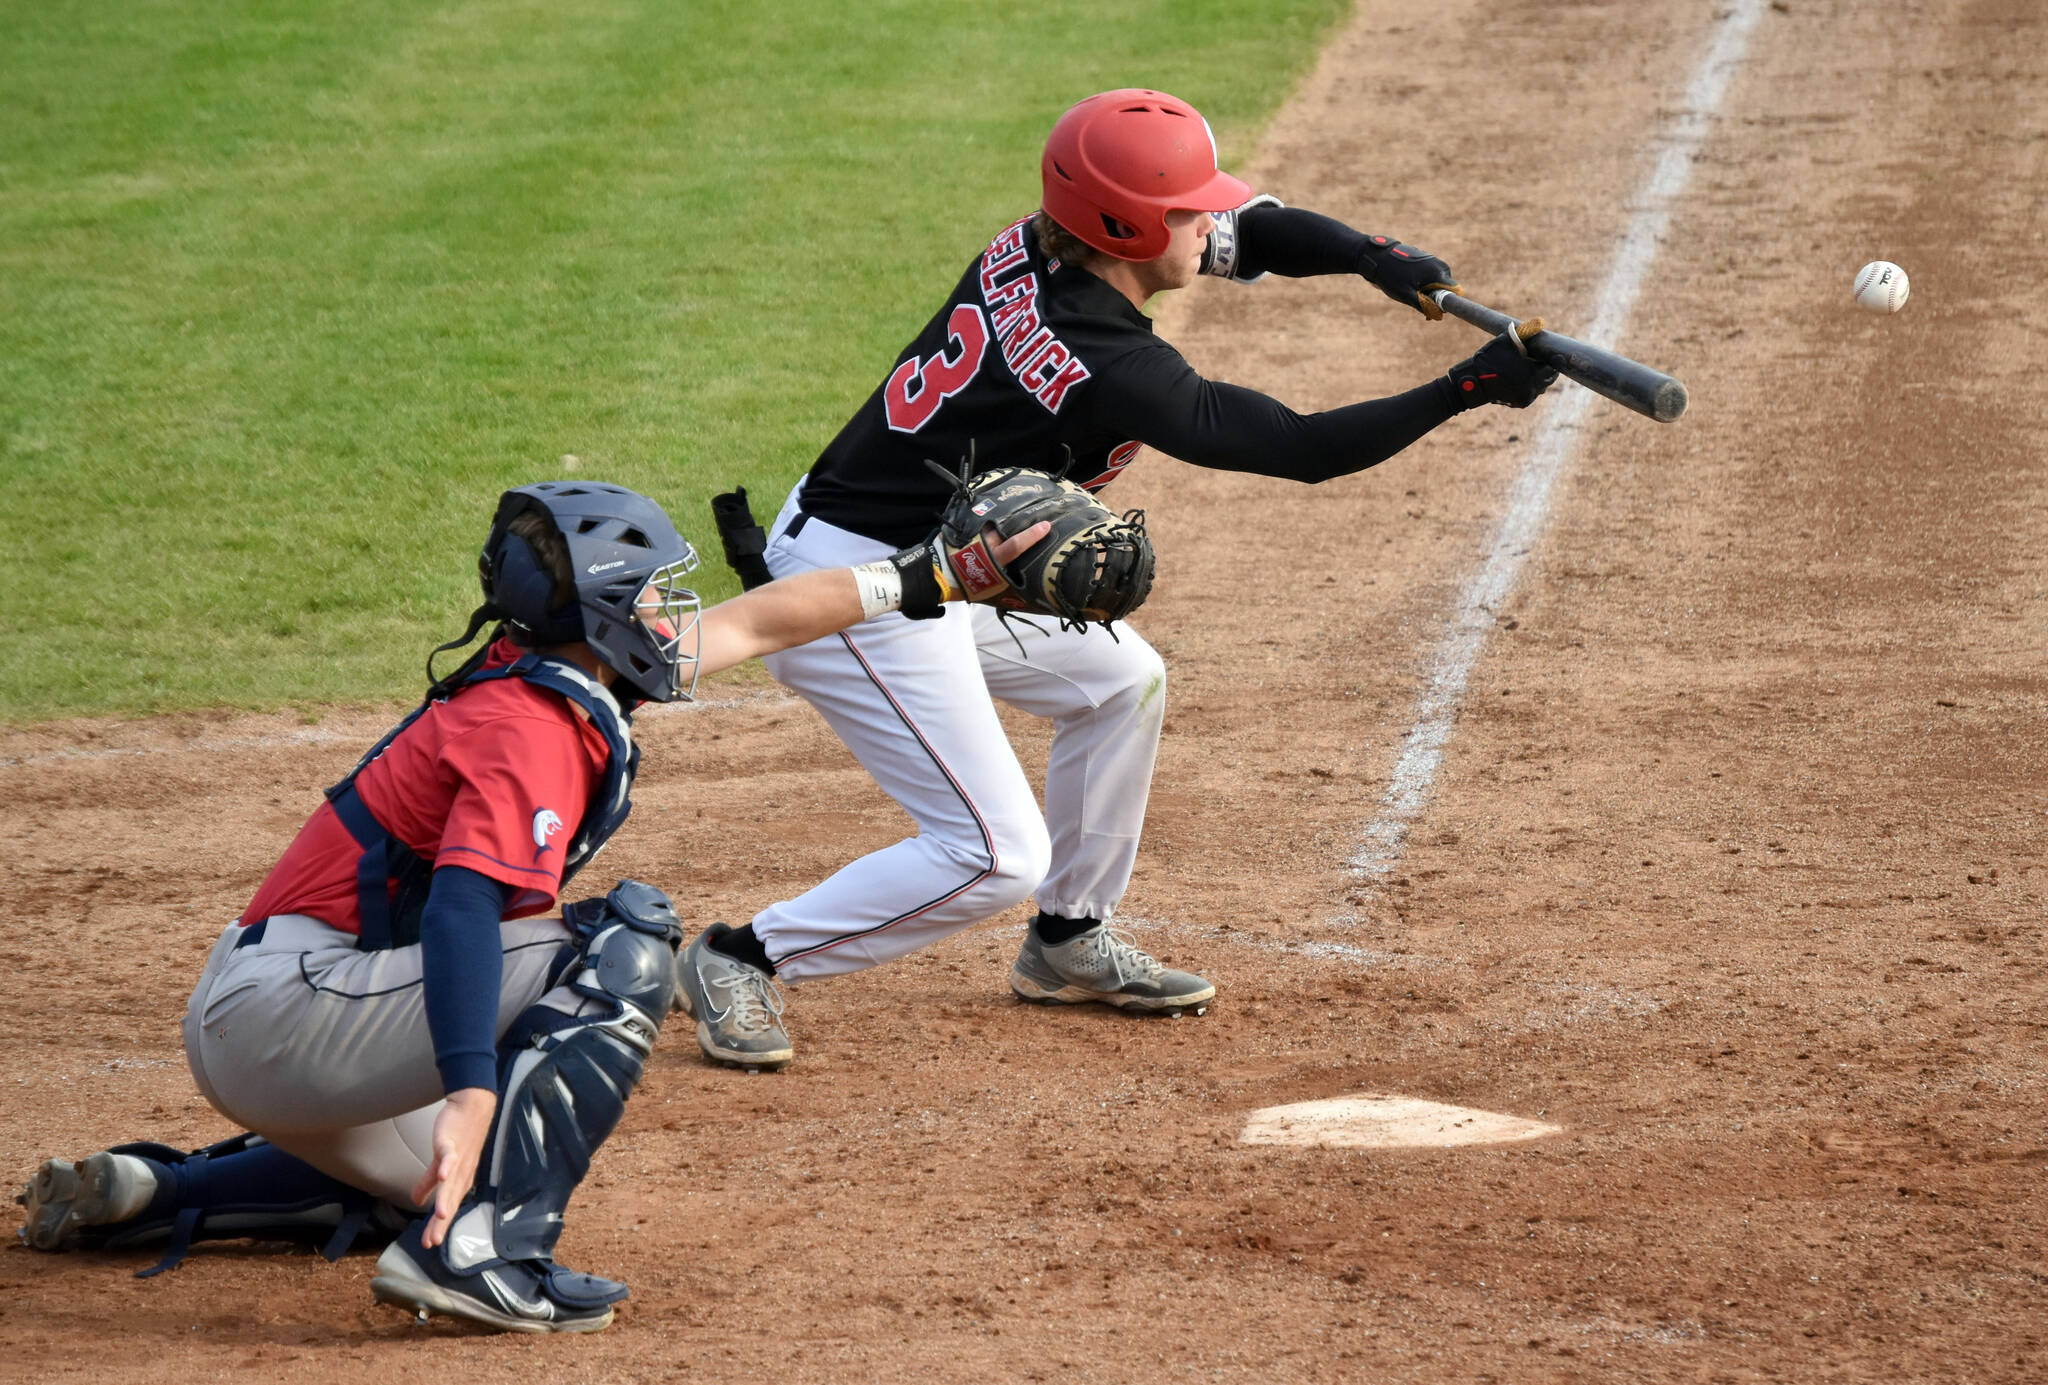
1095, 566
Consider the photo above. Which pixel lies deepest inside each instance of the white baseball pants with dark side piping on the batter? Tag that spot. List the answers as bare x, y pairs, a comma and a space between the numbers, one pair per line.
912, 700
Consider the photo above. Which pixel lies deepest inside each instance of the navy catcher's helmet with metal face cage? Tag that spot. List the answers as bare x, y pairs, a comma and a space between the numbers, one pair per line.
630, 599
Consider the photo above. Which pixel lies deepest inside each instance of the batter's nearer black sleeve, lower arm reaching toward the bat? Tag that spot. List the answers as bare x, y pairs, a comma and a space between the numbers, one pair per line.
1158, 398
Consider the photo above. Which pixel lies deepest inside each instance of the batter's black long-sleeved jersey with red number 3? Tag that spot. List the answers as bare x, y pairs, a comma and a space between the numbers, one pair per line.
1031, 358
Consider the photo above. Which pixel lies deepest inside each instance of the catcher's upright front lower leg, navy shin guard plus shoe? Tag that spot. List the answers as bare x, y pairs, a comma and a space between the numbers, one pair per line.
564, 1083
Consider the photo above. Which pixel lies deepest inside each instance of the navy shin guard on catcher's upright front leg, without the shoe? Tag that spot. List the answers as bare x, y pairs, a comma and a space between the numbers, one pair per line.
566, 1071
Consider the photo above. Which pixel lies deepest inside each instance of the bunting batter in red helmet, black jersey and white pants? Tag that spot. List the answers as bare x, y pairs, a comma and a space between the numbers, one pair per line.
1043, 358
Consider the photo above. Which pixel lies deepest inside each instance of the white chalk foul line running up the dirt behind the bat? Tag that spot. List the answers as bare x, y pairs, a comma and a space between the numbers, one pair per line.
1551, 448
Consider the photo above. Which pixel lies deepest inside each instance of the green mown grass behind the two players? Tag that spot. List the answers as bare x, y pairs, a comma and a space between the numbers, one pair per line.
292, 290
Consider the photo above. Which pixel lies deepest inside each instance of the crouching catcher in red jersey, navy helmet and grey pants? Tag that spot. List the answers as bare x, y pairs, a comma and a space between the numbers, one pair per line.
419, 1046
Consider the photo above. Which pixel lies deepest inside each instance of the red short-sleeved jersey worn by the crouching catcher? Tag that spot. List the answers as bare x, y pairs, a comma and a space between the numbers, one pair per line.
493, 780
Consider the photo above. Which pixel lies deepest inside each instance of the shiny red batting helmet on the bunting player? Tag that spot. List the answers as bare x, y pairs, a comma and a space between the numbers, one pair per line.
1117, 163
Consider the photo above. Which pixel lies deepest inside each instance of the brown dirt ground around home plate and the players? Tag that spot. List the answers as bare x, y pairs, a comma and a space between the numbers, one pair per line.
1734, 866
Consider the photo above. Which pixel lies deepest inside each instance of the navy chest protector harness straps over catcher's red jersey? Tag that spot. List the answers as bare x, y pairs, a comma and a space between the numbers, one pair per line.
392, 880
